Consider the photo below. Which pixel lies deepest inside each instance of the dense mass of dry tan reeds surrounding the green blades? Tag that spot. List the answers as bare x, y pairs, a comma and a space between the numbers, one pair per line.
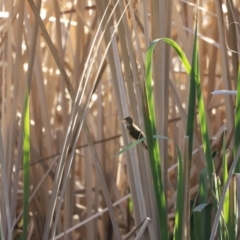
85, 75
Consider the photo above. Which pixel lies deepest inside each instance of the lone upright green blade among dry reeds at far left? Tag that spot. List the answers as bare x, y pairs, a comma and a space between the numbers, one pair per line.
26, 163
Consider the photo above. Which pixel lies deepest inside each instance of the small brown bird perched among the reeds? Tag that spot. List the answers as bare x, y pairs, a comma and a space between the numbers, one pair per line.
134, 131
